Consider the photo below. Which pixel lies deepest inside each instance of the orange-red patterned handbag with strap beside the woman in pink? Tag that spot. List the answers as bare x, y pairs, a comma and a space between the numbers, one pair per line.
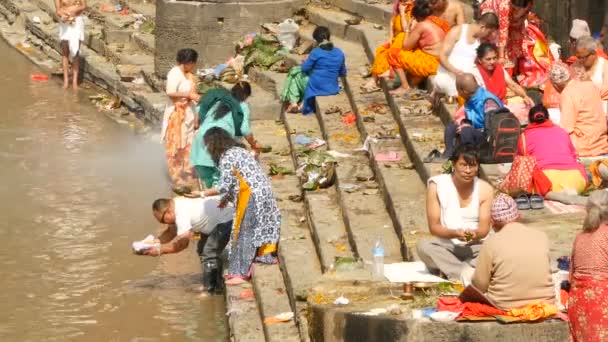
519, 179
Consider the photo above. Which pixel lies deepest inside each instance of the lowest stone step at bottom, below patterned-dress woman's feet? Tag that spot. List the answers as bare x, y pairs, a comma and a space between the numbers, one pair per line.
243, 315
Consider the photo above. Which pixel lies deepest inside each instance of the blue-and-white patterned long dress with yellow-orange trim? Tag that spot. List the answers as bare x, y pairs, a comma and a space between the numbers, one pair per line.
257, 223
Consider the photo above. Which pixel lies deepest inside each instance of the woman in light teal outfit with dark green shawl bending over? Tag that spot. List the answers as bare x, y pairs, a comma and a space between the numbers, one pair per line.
221, 114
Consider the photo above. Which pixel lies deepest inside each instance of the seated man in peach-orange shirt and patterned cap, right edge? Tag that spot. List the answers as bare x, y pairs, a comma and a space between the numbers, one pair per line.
581, 113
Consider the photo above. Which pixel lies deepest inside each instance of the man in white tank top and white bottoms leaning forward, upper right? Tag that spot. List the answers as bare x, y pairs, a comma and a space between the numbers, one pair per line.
458, 51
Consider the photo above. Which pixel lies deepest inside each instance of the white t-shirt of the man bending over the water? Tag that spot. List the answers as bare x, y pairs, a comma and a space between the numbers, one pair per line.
200, 215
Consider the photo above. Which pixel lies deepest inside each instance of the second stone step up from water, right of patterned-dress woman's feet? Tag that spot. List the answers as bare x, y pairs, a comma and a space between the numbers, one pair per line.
272, 300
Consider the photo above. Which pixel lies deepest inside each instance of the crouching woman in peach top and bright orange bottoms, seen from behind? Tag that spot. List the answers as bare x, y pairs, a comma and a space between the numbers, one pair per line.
419, 56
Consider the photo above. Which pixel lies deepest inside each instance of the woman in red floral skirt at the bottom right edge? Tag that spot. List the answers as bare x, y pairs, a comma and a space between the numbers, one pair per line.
588, 304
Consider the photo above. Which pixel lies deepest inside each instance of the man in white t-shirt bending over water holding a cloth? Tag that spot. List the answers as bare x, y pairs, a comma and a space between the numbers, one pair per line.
186, 218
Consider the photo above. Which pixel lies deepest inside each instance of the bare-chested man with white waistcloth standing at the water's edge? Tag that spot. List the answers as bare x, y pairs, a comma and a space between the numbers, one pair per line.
71, 33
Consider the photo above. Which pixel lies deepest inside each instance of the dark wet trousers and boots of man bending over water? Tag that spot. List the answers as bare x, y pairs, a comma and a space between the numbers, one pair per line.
210, 250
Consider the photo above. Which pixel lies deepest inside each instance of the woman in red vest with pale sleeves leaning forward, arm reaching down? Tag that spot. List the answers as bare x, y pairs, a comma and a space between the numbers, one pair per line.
492, 76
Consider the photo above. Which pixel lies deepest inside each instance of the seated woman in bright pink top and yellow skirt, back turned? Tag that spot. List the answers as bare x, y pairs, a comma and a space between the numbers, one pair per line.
563, 178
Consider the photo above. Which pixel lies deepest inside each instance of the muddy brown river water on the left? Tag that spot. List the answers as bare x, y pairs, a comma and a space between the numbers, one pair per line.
76, 189
